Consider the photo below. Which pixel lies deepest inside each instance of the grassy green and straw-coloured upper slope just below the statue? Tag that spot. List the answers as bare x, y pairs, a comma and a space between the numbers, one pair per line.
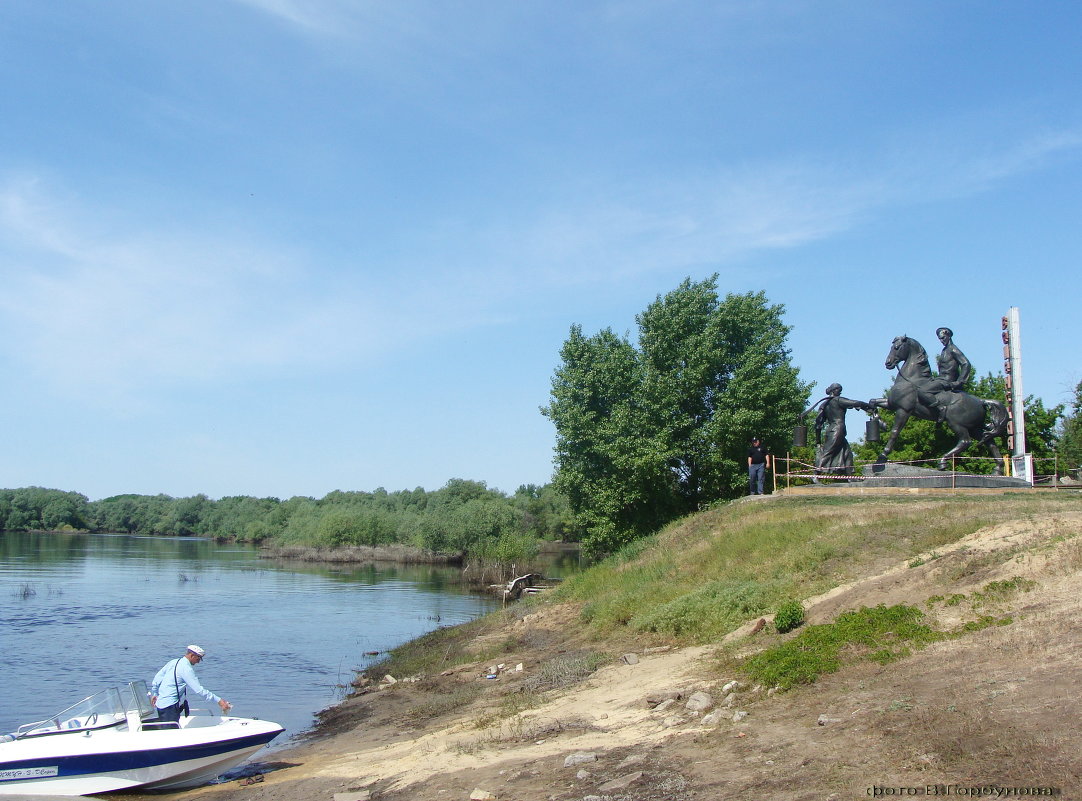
703, 577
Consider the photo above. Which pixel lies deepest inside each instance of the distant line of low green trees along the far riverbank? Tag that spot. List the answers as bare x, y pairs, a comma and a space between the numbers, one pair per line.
464, 517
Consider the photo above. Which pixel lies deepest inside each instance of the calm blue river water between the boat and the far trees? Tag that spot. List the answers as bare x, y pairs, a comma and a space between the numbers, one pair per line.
82, 613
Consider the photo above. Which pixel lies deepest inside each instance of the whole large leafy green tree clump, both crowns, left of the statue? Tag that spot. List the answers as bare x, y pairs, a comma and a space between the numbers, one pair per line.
649, 434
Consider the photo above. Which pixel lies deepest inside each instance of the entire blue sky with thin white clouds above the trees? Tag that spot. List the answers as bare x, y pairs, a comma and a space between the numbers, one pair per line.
286, 247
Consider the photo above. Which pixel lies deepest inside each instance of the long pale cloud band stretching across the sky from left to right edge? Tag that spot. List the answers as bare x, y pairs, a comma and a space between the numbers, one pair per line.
102, 305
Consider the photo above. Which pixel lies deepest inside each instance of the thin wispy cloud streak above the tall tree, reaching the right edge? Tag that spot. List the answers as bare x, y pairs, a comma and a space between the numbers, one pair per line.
677, 224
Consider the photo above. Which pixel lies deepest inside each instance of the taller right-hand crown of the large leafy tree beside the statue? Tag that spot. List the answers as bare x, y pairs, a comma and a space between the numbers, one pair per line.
717, 373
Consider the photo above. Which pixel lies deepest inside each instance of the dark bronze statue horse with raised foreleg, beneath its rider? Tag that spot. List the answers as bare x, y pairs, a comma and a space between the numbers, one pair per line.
971, 418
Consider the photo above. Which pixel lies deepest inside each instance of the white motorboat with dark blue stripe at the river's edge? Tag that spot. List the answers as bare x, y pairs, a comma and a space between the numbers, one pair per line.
113, 741
